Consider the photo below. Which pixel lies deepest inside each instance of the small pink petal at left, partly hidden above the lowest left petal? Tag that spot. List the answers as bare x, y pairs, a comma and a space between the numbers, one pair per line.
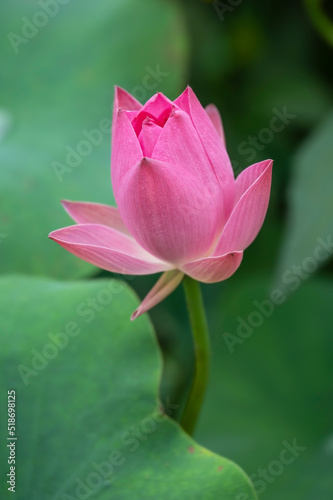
95, 213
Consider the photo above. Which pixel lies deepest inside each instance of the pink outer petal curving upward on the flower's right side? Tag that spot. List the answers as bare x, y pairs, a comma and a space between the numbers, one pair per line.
253, 190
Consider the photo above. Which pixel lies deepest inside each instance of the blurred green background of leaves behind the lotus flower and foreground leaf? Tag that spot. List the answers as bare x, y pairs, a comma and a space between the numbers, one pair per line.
254, 60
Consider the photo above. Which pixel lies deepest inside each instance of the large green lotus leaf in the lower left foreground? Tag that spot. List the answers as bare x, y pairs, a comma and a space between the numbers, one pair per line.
86, 381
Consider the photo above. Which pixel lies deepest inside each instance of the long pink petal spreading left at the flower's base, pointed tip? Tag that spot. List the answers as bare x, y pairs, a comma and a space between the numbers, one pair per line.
107, 248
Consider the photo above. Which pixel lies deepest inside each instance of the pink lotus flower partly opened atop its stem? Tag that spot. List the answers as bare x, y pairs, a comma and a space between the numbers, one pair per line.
180, 210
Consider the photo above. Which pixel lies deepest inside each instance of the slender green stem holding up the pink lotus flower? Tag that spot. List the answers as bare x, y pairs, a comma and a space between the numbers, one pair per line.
202, 354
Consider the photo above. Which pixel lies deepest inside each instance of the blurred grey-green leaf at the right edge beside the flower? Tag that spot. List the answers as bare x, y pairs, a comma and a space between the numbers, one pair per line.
308, 239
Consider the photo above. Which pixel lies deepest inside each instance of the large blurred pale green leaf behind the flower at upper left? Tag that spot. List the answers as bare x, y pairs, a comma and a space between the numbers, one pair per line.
58, 83
